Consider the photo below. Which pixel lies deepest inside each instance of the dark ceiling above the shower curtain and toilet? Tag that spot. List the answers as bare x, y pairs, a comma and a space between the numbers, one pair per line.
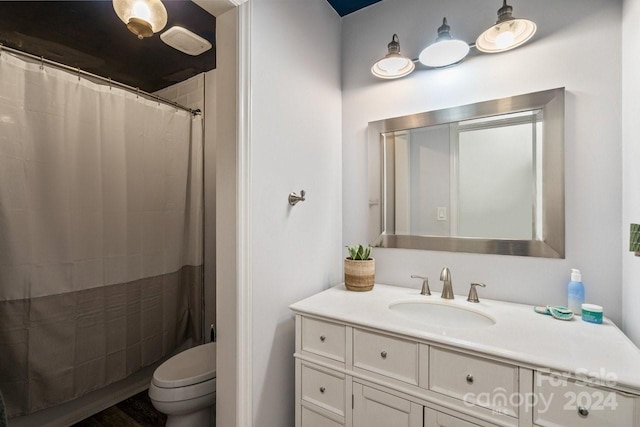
89, 35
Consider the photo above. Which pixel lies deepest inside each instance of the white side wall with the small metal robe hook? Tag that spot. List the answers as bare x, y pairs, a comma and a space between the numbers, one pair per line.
295, 144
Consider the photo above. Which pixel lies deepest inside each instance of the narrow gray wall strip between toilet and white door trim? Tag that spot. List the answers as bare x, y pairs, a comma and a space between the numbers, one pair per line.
226, 212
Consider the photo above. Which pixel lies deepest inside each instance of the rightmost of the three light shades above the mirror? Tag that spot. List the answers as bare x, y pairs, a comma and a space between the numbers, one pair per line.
507, 33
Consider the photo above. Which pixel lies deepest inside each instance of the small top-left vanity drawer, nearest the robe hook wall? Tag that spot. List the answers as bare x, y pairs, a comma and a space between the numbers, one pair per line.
323, 338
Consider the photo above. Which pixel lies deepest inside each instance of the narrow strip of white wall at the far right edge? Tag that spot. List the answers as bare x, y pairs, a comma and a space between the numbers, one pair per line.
630, 166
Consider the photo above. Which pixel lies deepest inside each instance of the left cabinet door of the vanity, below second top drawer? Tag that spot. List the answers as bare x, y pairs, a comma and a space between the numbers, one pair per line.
375, 408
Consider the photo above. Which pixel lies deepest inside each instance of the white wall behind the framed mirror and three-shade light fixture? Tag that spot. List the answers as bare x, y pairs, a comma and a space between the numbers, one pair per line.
578, 46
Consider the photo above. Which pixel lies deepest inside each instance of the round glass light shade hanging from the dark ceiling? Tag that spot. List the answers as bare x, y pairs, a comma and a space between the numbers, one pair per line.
143, 17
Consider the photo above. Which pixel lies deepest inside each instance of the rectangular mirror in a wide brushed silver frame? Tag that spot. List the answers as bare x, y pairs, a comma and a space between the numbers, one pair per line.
482, 178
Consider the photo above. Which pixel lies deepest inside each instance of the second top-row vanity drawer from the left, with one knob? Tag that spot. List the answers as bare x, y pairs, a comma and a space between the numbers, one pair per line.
393, 357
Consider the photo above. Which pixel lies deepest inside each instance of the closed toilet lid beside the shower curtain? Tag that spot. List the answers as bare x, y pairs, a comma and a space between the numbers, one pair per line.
191, 366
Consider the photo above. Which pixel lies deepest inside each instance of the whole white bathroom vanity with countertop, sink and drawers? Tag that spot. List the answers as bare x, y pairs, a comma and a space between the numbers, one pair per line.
393, 357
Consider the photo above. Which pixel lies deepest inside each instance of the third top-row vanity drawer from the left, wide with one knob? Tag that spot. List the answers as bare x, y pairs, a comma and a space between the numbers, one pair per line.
474, 380
